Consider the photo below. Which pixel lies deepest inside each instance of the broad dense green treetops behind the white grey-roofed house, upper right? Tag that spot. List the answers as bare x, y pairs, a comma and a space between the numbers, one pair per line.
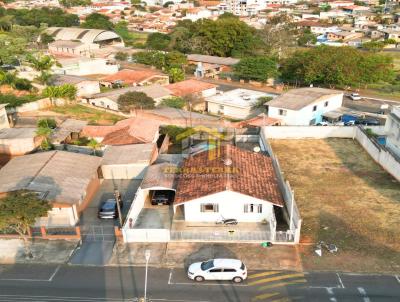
337, 66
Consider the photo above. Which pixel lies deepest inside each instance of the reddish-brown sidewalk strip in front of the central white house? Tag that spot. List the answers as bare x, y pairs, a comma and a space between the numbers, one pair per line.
181, 254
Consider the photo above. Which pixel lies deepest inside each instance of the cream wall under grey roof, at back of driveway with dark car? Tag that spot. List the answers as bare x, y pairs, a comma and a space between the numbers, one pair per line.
129, 171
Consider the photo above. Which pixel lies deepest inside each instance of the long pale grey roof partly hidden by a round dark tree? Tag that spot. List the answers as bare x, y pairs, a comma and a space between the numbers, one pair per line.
153, 91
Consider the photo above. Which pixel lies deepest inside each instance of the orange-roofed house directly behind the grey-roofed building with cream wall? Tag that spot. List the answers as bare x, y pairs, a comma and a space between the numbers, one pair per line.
130, 131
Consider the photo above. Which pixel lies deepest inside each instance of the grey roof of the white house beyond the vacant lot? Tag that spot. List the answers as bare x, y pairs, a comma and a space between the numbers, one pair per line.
297, 99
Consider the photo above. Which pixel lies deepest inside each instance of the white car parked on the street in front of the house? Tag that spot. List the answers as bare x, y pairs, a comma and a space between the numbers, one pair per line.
218, 269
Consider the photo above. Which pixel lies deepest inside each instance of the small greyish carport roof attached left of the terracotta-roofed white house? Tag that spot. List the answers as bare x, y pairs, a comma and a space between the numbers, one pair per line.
160, 176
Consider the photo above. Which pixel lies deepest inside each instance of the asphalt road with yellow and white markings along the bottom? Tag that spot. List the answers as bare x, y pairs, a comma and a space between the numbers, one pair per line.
84, 283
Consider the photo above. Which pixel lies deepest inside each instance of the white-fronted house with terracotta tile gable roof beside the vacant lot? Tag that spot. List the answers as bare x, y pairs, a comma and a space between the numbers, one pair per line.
245, 187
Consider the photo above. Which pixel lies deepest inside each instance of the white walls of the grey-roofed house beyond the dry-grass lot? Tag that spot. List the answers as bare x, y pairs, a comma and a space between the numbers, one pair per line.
304, 116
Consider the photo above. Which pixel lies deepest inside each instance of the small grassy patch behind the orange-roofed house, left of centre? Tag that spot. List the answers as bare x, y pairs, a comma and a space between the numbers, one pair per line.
94, 116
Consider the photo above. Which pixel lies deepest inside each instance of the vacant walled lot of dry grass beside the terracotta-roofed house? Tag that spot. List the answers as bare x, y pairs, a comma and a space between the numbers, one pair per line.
344, 198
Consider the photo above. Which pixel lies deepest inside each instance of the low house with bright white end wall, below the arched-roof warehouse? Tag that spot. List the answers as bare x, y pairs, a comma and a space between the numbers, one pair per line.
85, 87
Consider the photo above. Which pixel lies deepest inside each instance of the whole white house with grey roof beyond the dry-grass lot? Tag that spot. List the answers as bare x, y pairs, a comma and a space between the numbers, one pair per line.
304, 106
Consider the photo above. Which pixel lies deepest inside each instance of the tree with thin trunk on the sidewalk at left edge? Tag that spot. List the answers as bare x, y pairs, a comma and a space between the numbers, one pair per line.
19, 211
